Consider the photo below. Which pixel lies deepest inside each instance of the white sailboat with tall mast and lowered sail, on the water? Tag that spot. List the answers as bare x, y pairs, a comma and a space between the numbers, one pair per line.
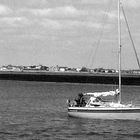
97, 108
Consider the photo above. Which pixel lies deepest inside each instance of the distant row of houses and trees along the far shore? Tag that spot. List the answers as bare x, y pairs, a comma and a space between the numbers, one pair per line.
63, 69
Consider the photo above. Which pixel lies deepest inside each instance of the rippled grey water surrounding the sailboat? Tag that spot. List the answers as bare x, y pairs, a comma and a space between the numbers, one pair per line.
37, 111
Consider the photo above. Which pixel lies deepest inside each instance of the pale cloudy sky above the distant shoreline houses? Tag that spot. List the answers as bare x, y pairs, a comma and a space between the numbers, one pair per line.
71, 33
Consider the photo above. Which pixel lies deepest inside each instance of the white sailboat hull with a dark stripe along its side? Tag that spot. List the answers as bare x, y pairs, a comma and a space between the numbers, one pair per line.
105, 113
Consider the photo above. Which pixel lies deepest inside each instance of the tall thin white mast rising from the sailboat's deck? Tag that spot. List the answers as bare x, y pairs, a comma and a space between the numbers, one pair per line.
119, 45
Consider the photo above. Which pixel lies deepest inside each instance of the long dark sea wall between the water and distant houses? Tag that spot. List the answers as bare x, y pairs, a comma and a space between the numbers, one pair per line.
70, 77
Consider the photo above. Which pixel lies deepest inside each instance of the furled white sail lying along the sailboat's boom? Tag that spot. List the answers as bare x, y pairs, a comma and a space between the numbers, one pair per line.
108, 93
